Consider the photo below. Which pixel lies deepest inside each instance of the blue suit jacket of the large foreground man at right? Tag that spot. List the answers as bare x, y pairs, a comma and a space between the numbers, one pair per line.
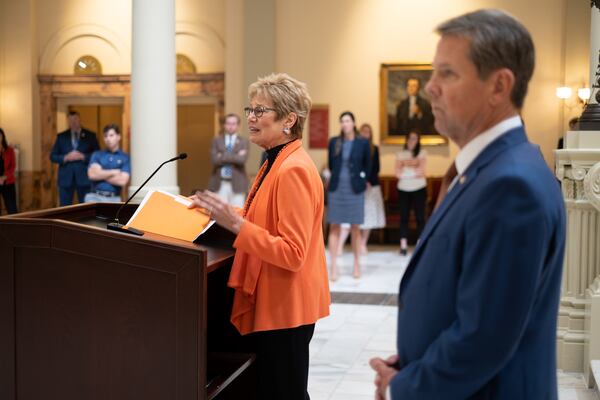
478, 303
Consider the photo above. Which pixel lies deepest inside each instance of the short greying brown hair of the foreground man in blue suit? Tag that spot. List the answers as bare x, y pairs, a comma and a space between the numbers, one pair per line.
497, 40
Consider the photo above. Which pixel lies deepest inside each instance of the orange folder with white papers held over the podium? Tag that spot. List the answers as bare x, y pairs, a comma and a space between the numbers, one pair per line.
167, 214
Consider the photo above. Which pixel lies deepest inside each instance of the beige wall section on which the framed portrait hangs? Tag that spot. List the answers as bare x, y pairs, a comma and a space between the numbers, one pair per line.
340, 51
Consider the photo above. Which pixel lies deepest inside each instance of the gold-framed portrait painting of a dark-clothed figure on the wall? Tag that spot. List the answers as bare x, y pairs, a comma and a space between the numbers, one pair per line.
404, 105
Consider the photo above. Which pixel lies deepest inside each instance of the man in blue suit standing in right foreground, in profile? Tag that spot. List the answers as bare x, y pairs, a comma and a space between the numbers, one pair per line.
478, 303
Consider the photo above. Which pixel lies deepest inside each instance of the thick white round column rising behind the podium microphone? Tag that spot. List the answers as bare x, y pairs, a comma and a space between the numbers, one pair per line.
153, 95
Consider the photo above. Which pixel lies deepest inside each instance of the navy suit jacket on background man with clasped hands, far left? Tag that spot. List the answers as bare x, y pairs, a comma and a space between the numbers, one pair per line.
73, 173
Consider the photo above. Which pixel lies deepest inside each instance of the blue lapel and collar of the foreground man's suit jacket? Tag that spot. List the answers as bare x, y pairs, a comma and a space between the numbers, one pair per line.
503, 143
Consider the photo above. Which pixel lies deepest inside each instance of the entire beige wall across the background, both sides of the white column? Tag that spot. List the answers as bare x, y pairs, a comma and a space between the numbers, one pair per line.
336, 46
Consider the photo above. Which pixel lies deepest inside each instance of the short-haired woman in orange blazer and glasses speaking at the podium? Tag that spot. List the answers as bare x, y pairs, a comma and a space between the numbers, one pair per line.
279, 271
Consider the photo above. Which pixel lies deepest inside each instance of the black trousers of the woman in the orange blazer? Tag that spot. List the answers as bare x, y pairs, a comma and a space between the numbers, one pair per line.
282, 362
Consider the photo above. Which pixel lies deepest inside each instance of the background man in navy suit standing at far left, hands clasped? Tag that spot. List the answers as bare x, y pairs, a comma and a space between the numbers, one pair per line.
72, 151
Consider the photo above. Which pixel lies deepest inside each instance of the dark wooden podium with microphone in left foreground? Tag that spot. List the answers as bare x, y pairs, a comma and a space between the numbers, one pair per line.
87, 313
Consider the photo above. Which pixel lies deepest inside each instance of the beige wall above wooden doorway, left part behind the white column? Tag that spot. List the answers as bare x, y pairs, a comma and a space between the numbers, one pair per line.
48, 36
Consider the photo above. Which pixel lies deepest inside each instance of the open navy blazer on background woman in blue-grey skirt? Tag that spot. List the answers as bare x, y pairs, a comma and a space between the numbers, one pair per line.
360, 163
